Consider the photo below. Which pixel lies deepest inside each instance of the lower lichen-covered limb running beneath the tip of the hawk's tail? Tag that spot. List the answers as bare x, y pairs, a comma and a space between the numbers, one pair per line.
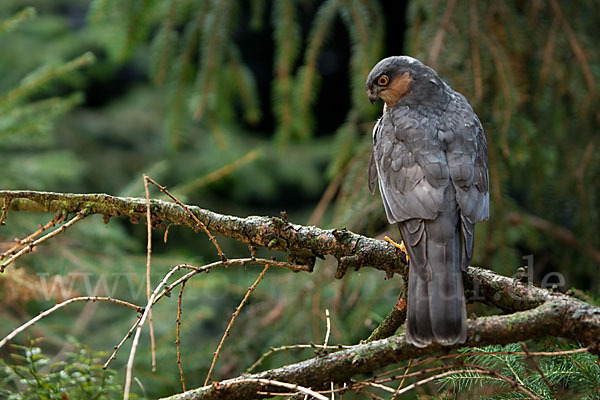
559, 315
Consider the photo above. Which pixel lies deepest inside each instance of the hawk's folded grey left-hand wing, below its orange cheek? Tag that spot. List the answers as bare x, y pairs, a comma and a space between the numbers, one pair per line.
411, 166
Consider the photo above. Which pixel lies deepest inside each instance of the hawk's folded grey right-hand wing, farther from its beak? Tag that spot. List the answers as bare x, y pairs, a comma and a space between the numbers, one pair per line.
467, 159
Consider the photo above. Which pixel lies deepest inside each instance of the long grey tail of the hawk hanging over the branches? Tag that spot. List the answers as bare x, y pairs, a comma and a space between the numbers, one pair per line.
436, 301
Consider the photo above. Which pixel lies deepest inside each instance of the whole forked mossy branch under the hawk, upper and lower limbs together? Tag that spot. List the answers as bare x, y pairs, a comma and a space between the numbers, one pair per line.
535, 312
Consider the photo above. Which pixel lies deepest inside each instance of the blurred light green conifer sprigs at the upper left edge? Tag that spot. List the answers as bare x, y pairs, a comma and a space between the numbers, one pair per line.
29, 110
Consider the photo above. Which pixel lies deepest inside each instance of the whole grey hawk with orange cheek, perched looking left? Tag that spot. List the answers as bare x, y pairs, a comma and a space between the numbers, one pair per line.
430, 158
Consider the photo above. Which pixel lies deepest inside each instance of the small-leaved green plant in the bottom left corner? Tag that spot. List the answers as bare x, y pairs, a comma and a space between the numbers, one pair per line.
34, 375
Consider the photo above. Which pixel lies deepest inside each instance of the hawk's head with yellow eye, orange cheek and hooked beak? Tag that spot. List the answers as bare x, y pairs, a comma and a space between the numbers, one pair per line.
395, 77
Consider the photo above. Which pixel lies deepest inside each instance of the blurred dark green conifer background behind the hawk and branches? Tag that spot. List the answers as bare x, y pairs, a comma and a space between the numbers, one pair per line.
256, 107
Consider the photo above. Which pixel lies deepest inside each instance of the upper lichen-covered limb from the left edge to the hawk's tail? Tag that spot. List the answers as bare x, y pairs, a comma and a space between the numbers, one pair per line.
303, 243
